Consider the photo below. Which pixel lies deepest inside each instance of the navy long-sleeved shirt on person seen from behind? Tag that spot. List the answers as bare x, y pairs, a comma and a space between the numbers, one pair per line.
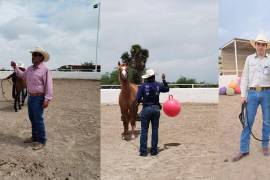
148, 92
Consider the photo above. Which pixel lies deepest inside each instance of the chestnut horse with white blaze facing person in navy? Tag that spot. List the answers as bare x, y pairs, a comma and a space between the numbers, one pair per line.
127, 101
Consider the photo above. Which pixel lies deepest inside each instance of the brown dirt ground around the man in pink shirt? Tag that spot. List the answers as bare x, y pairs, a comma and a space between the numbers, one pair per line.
72, 122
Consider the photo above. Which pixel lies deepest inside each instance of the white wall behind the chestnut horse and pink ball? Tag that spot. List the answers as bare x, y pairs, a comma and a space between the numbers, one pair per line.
196, 95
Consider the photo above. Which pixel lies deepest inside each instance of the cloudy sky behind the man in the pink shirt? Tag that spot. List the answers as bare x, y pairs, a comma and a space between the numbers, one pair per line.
65, 28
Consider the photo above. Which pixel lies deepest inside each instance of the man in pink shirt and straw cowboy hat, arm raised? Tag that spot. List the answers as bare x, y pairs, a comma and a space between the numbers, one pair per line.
39, 86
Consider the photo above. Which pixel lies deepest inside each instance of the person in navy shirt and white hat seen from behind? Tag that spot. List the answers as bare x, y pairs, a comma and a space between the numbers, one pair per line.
148, 94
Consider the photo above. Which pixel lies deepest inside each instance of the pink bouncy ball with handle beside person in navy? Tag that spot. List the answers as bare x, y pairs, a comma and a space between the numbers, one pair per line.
171, 107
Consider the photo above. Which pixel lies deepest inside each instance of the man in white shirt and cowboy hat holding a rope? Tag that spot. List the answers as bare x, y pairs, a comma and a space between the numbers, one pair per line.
255, 91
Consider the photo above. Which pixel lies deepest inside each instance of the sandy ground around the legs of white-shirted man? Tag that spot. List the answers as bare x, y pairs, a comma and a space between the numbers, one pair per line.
253, 167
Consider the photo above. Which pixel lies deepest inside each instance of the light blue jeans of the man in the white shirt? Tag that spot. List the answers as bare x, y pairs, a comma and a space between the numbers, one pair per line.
255, 99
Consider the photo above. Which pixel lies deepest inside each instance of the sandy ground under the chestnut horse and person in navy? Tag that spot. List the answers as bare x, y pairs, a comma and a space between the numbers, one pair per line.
188, 145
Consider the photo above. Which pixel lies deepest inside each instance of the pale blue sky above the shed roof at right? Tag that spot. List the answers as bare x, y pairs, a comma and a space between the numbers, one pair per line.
243, 19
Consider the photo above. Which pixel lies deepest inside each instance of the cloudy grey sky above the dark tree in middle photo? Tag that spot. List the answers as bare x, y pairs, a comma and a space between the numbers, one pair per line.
181, 35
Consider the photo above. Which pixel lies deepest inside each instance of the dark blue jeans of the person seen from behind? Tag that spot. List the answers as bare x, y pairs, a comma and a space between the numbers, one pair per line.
149, 113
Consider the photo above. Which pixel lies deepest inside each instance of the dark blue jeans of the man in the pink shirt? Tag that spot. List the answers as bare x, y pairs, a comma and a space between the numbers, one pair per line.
35, 112
